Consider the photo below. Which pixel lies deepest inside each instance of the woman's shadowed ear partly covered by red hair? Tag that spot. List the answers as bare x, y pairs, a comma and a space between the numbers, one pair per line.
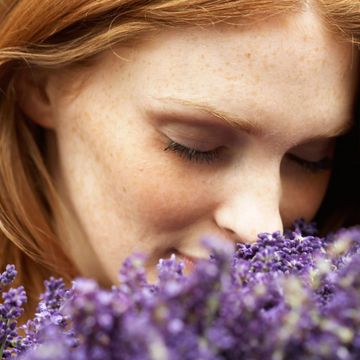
33, 98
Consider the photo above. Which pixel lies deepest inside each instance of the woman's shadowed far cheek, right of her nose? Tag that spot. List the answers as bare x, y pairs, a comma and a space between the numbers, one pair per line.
302, 197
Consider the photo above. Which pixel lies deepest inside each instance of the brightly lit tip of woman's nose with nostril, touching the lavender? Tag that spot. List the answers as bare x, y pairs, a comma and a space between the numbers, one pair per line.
250, 210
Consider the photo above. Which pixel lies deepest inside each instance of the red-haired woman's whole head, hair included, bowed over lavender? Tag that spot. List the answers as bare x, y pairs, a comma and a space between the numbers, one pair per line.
96, 91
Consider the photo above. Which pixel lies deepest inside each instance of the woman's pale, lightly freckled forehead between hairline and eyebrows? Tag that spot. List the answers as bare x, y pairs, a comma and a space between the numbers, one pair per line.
287, 69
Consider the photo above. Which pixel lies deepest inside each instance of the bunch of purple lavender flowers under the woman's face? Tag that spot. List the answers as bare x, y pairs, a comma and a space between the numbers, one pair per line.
287, 296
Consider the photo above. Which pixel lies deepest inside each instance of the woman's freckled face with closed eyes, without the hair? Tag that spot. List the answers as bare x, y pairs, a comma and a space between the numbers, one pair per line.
286, 85
